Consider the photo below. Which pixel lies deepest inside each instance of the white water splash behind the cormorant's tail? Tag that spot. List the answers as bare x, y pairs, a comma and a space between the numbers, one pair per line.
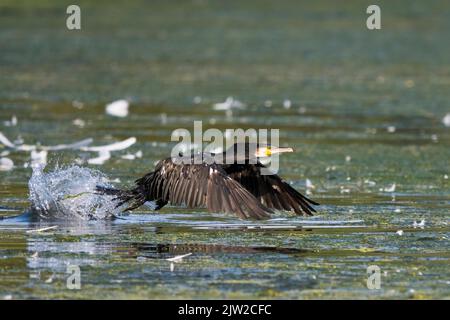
69, 193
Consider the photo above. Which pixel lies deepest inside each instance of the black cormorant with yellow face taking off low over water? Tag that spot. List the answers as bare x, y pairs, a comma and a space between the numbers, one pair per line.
233, 185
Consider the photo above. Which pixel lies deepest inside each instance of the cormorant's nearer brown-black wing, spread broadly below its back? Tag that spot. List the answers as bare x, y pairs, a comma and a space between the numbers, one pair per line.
201, 185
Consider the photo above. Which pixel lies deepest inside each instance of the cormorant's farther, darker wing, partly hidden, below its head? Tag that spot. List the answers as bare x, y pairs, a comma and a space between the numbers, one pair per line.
271, 190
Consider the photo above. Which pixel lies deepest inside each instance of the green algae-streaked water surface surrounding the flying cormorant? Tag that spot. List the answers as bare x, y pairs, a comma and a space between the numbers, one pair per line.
349, 88
